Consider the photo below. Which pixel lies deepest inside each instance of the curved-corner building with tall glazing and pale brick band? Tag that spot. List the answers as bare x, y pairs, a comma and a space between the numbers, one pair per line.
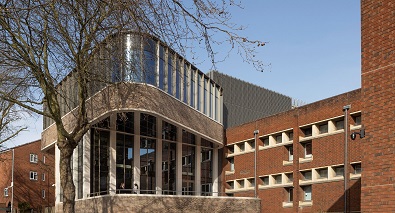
157, 126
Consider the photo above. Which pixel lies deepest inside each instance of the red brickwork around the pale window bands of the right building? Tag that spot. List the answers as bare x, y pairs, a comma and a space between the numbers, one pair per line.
327, 150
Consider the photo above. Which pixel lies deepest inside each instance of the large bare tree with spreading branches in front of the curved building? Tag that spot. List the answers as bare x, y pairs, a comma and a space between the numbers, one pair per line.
44, 40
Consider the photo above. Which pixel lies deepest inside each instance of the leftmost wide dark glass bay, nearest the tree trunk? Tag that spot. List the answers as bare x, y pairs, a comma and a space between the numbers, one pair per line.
100, 157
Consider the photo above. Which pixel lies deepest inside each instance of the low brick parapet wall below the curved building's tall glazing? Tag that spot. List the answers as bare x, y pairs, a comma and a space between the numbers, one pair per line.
155, 203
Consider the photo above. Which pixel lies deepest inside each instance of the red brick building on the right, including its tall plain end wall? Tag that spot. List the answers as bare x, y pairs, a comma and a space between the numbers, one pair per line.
306, 159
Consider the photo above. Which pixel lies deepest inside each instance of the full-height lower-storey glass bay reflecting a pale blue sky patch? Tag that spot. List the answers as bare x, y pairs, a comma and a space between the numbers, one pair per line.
147, 154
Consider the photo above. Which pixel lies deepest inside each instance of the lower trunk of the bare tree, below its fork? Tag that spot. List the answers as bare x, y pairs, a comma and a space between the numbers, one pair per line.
66, 179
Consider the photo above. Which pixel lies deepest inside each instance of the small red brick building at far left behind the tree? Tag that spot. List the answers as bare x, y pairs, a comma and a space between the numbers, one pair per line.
33, 178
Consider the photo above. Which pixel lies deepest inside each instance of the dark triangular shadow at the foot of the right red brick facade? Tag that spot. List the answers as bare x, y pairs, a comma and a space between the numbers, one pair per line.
353, 201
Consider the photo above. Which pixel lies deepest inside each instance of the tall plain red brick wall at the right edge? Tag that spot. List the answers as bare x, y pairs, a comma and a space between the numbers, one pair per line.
378, 89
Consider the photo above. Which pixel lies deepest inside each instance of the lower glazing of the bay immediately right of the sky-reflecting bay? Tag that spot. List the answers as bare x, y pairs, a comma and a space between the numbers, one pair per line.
169, 177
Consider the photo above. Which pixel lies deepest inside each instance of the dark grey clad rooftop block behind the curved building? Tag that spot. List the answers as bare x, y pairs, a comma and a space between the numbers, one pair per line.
245, 102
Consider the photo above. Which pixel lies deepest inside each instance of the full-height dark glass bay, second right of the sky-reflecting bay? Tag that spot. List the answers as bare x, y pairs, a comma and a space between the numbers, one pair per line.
188, 163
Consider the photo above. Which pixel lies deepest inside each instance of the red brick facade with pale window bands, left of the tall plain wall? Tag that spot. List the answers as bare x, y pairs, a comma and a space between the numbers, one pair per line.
327, 151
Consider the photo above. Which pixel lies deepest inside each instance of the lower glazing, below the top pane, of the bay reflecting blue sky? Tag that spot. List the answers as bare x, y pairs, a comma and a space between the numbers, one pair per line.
147, 164
